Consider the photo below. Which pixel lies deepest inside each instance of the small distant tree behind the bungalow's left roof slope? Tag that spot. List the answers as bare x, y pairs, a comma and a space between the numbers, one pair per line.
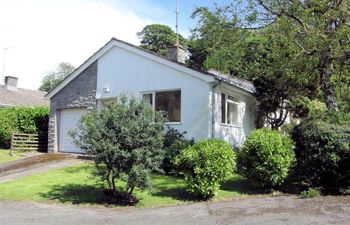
56, 76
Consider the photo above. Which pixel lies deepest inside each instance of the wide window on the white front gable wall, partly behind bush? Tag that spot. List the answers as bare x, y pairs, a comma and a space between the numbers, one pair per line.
167, 101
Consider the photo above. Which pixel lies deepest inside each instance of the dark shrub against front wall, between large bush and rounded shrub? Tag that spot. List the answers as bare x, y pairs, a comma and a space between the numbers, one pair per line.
174, 142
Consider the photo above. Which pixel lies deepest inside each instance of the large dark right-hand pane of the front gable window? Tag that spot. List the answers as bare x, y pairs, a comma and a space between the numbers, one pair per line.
170, 103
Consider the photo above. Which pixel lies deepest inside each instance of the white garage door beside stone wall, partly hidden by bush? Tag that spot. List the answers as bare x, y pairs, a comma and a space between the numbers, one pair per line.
68, 121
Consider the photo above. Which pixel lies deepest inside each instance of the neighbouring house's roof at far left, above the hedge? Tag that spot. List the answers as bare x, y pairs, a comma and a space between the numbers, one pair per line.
21, 97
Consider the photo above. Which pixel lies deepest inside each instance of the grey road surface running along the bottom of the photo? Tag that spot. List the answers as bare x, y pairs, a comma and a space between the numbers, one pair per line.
267, 210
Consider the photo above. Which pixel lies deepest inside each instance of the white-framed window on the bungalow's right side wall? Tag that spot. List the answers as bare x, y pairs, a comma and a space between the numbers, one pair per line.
229, 109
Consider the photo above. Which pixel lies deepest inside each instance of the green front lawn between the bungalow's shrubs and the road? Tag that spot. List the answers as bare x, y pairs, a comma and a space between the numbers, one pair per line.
75, 185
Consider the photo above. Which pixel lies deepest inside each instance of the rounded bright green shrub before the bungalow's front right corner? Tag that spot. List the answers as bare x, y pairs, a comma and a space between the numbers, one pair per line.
205, 165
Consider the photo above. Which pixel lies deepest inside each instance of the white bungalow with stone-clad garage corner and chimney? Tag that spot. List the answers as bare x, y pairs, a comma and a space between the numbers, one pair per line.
204, 104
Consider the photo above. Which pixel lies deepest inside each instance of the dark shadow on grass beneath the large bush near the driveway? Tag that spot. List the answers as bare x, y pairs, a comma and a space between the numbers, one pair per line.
80, 194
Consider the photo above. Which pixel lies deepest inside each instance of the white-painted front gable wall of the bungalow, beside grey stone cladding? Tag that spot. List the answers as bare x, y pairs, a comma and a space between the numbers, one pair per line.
122, 71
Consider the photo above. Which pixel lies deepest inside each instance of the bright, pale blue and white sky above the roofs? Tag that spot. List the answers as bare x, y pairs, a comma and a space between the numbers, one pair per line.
36, 35
